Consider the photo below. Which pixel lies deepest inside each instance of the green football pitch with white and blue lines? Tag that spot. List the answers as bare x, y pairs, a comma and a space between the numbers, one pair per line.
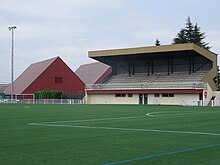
109, 135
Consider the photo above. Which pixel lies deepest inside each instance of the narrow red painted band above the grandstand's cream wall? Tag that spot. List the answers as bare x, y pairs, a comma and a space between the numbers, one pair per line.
147, 91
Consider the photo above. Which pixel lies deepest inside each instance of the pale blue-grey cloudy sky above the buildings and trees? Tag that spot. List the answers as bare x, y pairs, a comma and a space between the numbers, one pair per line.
70, 28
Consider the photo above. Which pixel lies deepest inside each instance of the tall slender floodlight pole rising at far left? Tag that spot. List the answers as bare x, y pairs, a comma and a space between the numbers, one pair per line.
11, 28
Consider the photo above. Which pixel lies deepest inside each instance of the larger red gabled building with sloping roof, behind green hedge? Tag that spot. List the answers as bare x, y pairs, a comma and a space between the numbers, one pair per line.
51, 74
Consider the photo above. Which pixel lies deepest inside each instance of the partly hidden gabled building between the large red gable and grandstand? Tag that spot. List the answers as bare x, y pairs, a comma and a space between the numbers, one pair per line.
93, 73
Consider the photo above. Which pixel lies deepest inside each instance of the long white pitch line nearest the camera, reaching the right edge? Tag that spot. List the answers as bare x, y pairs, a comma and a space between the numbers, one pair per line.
125, 129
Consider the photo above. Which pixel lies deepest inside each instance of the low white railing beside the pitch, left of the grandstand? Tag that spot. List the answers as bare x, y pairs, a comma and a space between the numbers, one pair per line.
42, 101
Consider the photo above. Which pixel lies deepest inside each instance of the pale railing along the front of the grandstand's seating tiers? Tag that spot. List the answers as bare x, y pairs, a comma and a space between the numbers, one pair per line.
164, 85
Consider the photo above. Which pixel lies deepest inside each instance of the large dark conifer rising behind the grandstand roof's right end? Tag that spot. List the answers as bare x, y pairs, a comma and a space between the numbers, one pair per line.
191, 34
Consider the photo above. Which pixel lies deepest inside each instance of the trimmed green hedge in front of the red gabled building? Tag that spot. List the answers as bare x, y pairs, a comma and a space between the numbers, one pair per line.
48, 94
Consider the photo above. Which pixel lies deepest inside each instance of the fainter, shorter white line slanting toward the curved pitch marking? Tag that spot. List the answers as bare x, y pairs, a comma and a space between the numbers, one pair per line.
103, 119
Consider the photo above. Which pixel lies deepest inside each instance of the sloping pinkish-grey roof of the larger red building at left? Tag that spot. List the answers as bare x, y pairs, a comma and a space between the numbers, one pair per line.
29, 75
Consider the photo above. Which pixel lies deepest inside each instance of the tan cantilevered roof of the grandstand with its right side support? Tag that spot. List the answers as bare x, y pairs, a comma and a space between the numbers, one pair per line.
187, 50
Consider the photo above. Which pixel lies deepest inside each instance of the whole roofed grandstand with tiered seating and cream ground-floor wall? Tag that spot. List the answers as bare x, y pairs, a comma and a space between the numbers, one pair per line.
180, 74
